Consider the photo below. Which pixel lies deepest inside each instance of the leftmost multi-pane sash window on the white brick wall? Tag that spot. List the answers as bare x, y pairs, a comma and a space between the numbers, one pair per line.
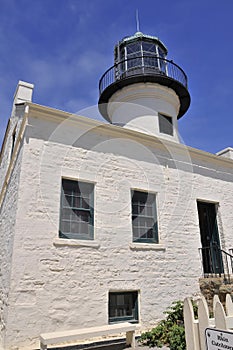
76, 215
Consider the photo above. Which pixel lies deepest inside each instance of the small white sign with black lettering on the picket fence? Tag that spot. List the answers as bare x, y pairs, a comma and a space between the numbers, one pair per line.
217, 339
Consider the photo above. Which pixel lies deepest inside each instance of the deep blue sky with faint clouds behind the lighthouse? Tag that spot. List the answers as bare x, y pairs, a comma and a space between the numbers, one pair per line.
64, 46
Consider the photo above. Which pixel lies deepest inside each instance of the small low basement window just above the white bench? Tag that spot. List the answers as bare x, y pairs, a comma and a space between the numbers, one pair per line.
123, 306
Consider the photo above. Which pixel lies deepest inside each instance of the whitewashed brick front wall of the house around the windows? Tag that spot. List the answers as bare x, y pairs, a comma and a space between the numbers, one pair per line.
58, 284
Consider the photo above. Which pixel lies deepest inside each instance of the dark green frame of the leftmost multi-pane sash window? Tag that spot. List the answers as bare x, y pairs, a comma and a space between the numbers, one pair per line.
82, 210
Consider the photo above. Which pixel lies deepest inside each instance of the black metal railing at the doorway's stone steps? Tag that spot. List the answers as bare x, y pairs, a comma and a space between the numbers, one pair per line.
216, 263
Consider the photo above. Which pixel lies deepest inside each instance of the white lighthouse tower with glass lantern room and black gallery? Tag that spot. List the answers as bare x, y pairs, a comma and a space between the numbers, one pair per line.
143, 90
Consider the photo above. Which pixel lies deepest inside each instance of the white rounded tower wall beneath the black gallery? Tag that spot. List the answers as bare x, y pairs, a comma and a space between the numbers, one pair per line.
137, 107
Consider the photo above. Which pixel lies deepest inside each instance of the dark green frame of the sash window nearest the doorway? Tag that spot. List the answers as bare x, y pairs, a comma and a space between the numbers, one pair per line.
153, 217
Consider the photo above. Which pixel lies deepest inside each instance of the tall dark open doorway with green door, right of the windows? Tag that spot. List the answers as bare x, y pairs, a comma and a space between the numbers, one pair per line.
211, 250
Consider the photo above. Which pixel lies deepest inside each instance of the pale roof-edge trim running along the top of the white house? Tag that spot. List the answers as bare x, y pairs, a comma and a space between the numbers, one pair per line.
44, 112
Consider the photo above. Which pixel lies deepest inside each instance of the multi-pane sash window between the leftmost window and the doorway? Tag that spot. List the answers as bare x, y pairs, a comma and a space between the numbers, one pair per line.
144, 218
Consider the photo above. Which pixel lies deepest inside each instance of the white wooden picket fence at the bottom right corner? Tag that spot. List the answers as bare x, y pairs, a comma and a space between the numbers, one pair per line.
195, 328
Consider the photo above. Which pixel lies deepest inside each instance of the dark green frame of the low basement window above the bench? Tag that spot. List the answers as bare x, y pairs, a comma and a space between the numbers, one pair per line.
134, 318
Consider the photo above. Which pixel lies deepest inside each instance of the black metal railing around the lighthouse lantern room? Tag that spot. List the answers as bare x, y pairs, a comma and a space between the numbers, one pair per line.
142, 65
